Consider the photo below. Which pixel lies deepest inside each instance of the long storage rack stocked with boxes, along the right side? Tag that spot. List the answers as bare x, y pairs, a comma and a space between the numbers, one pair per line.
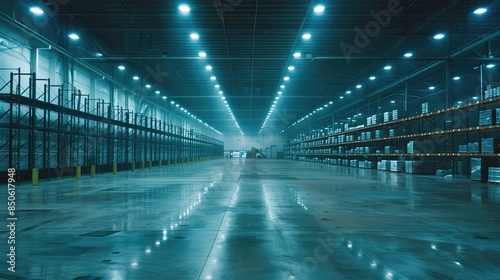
438, 135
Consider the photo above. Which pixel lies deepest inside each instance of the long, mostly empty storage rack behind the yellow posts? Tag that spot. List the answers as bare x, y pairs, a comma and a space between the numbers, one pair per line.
40, 128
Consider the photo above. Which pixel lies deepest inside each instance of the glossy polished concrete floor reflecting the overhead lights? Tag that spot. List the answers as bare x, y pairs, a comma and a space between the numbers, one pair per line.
255, 219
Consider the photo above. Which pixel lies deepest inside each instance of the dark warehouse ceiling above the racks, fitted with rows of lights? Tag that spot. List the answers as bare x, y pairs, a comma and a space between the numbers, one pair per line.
250, 45
